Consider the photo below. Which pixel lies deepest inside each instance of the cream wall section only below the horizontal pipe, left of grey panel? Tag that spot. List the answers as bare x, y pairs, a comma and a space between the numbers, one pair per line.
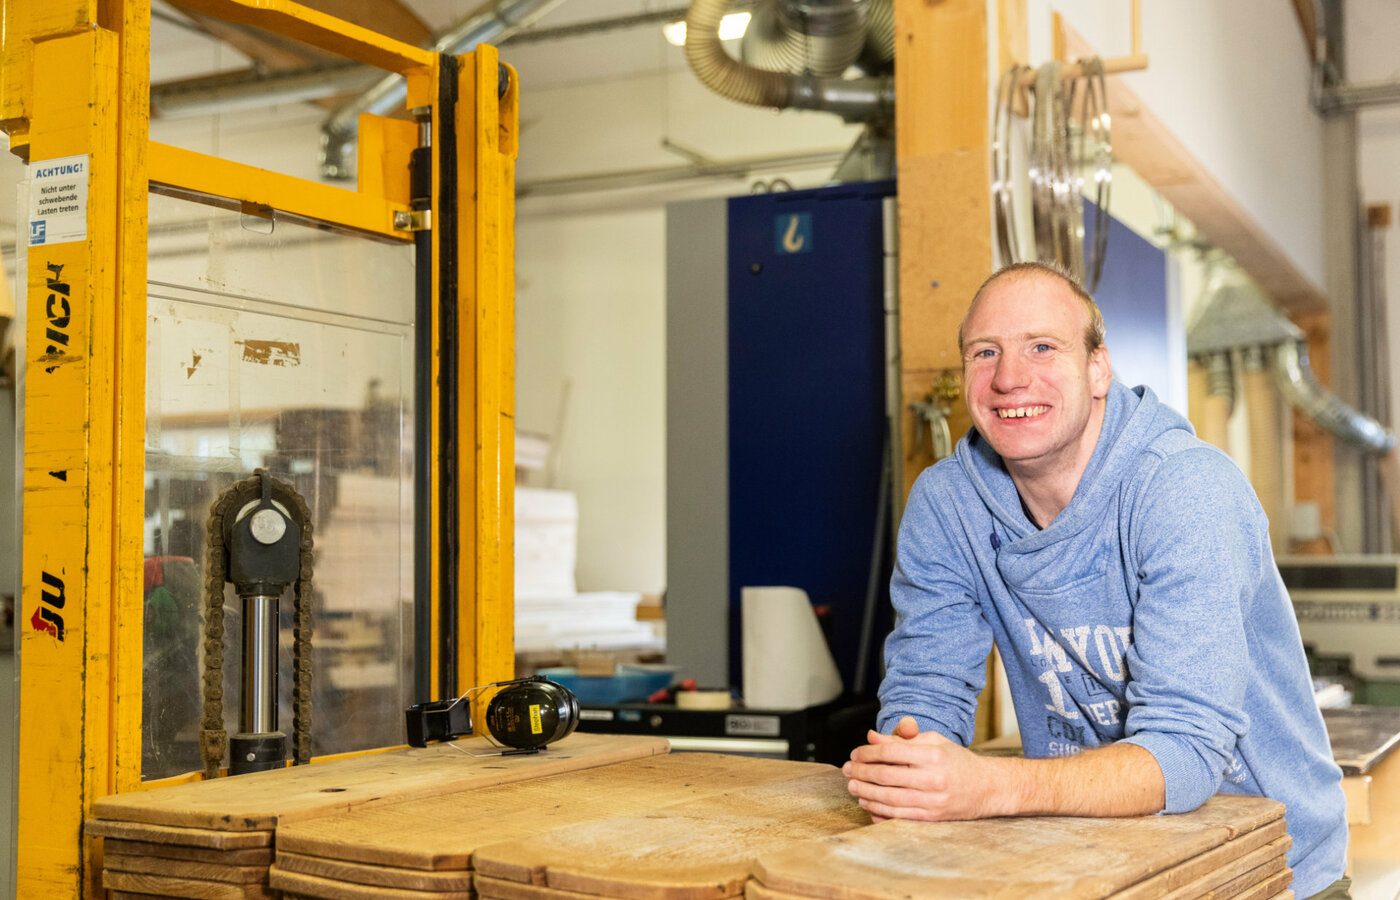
590, 339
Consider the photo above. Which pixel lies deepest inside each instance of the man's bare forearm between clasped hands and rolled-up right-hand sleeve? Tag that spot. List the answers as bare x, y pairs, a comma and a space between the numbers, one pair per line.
1116, 780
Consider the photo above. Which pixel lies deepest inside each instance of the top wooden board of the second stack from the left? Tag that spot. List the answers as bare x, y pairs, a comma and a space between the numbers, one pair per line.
435, 834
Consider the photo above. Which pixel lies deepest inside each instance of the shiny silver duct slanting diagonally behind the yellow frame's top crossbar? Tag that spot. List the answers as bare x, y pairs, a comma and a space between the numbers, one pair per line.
387, 96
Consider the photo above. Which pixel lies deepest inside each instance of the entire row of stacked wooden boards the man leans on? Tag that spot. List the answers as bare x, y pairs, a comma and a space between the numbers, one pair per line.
626, 824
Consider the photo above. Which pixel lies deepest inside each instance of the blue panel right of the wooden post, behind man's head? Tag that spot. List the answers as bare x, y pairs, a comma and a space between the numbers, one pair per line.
1133, 299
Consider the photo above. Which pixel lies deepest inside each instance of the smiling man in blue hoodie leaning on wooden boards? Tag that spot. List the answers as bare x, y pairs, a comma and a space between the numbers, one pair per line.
1125, 572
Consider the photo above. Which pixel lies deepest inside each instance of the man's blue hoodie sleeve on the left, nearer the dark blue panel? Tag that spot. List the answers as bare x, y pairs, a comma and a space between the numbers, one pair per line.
936, 659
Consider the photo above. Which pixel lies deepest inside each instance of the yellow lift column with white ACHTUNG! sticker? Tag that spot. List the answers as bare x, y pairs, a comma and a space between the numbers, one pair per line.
76, 106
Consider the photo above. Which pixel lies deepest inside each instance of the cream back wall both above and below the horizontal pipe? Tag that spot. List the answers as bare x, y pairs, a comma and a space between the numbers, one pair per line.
591, 286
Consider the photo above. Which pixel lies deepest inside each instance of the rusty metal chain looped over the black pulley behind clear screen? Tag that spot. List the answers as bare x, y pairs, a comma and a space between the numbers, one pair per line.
213, 738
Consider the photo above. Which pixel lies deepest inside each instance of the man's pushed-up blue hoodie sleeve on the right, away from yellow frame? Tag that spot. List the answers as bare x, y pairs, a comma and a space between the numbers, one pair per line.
1202, 551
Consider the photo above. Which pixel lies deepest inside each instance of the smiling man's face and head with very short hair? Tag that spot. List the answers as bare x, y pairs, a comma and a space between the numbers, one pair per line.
1032, 388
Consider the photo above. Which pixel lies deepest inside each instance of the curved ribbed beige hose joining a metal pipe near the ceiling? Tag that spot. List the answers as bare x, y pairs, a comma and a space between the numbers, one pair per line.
855, 100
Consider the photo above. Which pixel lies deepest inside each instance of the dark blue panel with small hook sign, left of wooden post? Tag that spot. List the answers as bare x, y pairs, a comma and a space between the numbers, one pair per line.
807, 401
